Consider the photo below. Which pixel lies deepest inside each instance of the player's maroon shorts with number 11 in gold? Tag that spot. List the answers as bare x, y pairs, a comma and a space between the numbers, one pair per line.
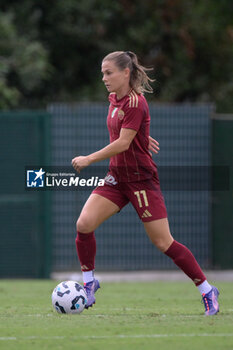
145, 196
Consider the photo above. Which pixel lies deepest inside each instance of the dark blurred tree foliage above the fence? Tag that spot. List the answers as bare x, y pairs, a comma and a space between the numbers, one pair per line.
52, 50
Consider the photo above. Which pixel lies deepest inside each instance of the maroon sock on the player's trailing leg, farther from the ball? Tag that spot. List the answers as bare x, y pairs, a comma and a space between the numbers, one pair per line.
185, 260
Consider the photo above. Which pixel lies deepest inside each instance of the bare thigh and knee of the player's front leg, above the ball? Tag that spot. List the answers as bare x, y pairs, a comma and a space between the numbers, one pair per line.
96, 210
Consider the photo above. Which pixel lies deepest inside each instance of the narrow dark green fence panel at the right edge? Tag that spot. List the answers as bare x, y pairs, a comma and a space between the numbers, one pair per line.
222, 201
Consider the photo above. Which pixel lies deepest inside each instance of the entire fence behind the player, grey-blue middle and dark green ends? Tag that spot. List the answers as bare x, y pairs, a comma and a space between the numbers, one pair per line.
38, 226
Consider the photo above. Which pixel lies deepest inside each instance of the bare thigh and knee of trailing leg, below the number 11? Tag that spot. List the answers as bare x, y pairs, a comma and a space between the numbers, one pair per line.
159, 233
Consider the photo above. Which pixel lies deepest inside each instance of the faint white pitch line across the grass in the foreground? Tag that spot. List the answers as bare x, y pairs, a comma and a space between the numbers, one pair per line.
120, 336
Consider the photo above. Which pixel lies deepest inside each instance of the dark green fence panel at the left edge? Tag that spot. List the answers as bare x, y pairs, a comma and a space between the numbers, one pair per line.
25, 216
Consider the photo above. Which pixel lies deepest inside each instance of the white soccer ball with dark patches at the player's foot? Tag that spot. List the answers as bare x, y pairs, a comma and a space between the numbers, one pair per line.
69, 297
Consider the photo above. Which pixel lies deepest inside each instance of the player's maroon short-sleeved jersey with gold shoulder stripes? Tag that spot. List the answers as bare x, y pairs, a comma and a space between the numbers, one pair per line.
130, 112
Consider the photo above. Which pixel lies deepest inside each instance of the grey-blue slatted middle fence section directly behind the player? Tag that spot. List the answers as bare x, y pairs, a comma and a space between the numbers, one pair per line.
184, 135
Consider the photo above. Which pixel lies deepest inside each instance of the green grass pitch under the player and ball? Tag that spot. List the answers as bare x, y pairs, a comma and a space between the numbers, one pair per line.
158, 315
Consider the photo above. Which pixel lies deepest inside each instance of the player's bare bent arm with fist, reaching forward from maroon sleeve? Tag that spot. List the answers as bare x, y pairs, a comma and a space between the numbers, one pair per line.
118, 146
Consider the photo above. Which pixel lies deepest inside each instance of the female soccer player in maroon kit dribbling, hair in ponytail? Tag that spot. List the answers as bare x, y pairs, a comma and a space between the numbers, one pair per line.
132, 177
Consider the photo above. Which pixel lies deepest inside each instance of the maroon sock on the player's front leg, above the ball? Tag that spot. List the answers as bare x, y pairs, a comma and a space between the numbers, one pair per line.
86, 249
